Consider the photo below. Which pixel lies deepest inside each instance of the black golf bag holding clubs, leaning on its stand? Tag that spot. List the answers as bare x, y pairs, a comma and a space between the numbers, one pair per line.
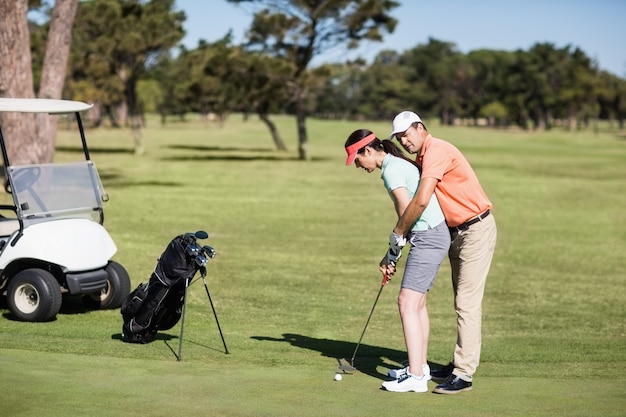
158, 304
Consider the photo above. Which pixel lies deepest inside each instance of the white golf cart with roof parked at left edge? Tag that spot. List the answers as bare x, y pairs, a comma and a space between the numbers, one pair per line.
52, 239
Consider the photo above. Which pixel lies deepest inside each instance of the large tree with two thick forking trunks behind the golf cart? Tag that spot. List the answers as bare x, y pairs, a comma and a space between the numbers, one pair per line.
38, 133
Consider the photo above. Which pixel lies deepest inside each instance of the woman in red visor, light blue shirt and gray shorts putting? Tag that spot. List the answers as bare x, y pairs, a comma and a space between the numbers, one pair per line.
429, 238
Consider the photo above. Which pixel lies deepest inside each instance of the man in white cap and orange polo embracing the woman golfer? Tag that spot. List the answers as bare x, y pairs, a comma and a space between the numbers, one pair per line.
473, 231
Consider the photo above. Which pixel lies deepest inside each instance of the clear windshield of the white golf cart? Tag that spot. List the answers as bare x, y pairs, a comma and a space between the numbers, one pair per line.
44, 192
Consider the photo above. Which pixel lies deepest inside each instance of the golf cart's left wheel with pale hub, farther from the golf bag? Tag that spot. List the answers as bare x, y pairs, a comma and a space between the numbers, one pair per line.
34, 295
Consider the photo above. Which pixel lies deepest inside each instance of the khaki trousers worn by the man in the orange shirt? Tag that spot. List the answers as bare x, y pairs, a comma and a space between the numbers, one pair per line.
470, 256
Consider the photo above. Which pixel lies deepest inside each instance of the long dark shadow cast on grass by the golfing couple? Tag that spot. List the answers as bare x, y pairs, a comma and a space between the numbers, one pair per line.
368, 358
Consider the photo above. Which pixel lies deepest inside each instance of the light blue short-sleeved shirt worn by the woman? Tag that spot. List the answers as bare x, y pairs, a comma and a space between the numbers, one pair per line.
397, 172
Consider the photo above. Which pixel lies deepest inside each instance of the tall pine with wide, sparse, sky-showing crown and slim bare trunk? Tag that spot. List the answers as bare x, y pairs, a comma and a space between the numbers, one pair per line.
299, 30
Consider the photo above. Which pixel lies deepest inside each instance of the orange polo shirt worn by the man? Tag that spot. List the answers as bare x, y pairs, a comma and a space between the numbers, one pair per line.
458, 190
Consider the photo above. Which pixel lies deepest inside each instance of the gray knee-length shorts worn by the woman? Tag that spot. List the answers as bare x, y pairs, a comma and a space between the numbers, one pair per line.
428, 250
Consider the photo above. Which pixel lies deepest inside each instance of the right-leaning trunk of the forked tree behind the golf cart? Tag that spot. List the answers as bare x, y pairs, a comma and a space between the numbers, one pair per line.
53, 73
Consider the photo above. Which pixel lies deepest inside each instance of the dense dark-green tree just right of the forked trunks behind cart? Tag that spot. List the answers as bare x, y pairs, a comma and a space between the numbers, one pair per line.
119, 40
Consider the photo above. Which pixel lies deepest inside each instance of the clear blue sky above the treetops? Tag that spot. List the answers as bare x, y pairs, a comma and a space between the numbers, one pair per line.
597, 27
